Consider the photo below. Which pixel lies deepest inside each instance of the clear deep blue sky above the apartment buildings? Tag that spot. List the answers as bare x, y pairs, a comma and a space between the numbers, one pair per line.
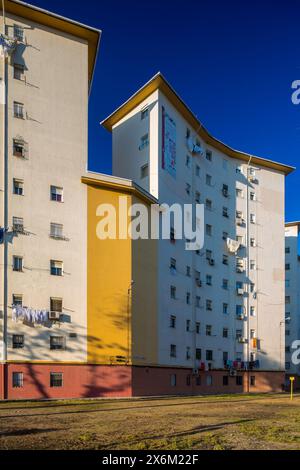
232, 62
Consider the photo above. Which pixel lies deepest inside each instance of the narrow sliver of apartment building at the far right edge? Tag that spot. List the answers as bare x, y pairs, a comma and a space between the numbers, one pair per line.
292, 284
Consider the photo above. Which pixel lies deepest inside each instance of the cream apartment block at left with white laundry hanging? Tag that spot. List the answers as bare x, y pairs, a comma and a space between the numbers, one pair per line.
43, 257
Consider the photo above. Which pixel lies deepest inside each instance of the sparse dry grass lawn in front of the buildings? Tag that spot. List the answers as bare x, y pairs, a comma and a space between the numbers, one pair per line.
215, 422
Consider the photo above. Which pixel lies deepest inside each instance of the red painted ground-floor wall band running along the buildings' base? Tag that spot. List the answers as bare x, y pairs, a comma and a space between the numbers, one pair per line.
84, 381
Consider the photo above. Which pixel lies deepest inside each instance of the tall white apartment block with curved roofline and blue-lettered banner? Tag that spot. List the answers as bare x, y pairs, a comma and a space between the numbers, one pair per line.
220, 309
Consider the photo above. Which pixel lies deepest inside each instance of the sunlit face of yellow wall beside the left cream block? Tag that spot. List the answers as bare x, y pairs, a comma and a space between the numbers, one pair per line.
109, 277
